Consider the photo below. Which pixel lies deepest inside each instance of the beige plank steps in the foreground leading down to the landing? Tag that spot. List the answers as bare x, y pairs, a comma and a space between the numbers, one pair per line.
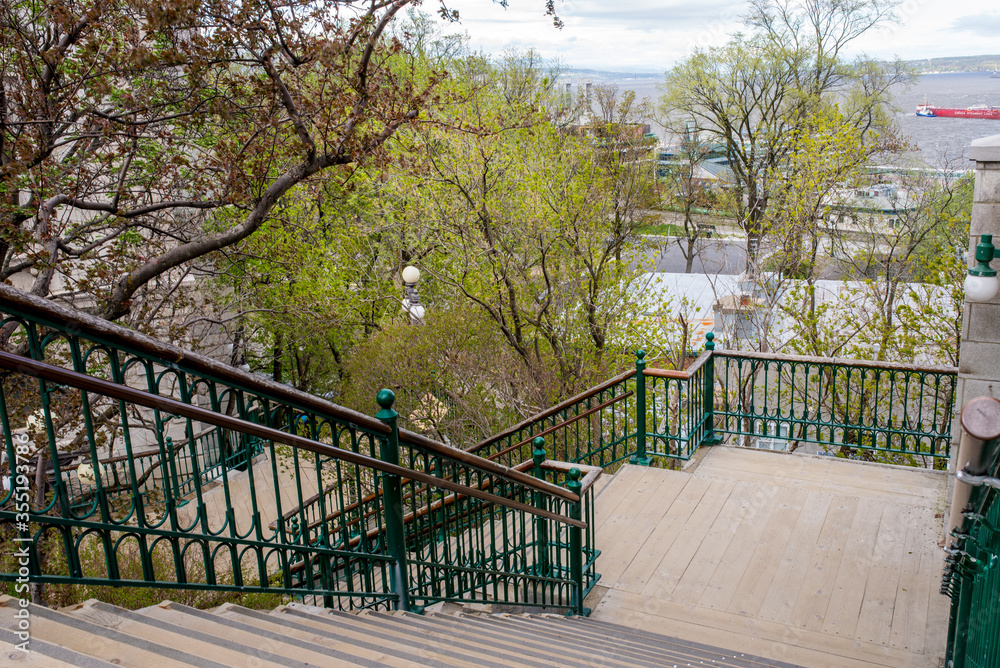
167, 635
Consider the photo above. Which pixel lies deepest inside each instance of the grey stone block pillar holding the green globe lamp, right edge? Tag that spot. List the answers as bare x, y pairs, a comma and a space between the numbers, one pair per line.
979, 357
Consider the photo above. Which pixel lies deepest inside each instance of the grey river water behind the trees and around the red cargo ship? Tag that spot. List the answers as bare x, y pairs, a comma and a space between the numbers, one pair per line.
941, 141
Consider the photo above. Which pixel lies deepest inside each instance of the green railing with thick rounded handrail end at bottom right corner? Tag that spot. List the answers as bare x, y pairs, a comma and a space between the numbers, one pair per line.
972, 568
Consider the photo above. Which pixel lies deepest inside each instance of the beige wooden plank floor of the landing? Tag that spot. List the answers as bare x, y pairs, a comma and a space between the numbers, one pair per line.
812, 560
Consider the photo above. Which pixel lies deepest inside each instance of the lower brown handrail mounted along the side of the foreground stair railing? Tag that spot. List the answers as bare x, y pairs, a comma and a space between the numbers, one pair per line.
56, 374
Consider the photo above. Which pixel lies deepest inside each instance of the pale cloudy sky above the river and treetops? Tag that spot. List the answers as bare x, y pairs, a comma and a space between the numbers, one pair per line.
643, 35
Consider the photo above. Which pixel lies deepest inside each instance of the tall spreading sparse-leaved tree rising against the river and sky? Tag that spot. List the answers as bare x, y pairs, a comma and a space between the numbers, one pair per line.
753, 94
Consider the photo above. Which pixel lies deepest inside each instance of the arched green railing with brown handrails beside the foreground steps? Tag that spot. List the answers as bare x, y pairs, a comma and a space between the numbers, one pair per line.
404, 520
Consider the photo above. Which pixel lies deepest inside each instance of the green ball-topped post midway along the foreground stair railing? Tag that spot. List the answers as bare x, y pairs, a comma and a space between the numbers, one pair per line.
392, 507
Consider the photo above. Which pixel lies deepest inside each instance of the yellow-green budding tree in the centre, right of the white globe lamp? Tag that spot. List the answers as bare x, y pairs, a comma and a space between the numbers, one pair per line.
524, 220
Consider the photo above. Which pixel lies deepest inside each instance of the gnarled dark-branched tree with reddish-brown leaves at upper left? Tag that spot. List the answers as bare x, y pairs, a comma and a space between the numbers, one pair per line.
135, 141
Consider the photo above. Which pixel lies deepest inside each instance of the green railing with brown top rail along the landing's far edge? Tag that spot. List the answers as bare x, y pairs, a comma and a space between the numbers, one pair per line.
901, 411
